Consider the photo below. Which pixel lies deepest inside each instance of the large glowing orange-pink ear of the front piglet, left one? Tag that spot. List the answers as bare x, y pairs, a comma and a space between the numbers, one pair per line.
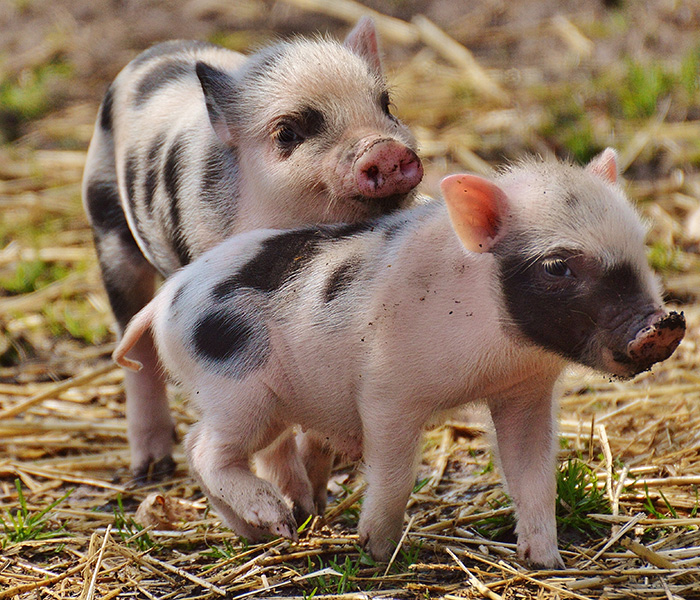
476, 208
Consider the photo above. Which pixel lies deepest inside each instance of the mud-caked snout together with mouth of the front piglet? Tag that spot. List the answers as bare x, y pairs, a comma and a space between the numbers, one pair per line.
652, 344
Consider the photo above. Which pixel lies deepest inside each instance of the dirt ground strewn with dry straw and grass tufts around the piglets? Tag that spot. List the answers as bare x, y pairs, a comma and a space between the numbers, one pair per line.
480, 83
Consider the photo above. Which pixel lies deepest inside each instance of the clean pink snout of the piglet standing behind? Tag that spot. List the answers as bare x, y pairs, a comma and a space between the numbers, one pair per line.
386, 168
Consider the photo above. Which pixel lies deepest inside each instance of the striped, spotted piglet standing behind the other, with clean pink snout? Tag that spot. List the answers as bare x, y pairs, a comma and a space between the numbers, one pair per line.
194, 143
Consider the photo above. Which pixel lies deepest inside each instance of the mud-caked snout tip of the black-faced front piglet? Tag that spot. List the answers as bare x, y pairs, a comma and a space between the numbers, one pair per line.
657, 340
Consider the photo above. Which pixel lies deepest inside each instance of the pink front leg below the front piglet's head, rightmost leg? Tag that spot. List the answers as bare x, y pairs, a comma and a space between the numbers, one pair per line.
526, 434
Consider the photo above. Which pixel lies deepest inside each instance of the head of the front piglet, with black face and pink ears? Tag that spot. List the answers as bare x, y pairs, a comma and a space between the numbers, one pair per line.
571, 263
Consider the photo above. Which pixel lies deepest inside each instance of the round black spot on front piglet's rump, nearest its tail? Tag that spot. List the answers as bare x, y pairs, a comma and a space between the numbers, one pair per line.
229, 338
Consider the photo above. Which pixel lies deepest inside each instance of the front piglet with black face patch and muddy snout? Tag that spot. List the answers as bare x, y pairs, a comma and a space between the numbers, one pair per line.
363, 333
